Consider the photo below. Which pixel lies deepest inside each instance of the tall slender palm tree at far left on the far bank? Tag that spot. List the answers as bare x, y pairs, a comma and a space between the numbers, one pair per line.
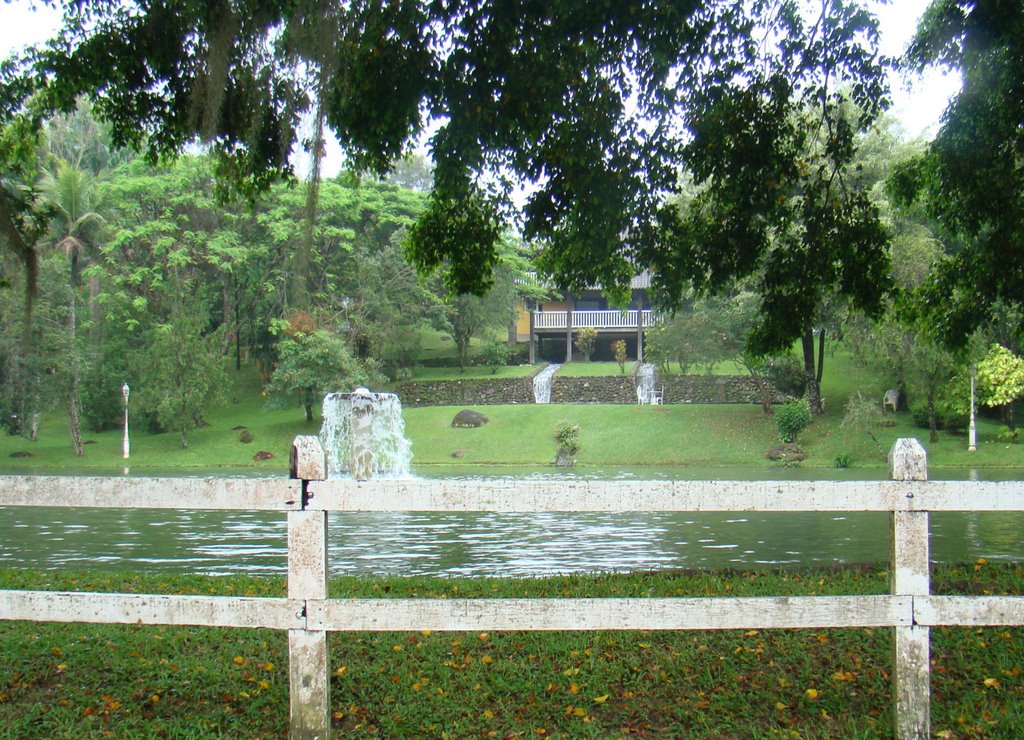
73, 199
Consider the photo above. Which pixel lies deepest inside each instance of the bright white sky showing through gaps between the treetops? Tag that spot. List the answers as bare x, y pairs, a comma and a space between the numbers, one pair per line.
918, 103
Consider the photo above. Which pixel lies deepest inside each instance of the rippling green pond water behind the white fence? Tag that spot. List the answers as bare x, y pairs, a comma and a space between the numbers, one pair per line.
498, 545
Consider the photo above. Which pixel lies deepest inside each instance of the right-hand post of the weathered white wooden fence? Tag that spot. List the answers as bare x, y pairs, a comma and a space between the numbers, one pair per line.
912, 652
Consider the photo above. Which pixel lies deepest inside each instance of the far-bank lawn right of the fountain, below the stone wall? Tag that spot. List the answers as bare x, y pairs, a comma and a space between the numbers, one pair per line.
699, 436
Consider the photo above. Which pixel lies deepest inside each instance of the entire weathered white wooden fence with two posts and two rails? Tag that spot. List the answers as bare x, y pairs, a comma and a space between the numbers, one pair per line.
309, 616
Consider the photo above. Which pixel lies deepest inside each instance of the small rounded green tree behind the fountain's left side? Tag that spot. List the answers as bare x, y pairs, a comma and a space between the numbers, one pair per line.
312, 366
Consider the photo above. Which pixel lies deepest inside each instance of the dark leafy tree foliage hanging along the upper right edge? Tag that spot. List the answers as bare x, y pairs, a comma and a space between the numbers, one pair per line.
970, 177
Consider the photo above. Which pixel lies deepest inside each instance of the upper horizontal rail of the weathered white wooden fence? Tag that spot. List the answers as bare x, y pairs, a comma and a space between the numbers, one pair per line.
511, 496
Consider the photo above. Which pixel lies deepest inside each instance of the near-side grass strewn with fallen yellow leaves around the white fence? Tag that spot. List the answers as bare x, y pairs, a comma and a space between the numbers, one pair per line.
104, 681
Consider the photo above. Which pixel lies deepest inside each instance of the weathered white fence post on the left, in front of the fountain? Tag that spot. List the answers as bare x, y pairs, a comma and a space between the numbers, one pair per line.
309, 671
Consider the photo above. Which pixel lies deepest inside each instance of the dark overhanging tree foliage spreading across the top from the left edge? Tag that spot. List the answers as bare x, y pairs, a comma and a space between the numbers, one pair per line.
602, 136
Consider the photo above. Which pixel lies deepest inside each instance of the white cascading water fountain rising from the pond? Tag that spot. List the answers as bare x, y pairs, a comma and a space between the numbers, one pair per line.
365, 436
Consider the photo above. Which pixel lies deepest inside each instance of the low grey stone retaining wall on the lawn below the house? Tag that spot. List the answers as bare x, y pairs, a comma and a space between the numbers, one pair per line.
609, 389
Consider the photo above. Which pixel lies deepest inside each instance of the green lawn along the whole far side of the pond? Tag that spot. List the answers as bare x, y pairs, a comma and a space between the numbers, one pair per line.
697, 436
